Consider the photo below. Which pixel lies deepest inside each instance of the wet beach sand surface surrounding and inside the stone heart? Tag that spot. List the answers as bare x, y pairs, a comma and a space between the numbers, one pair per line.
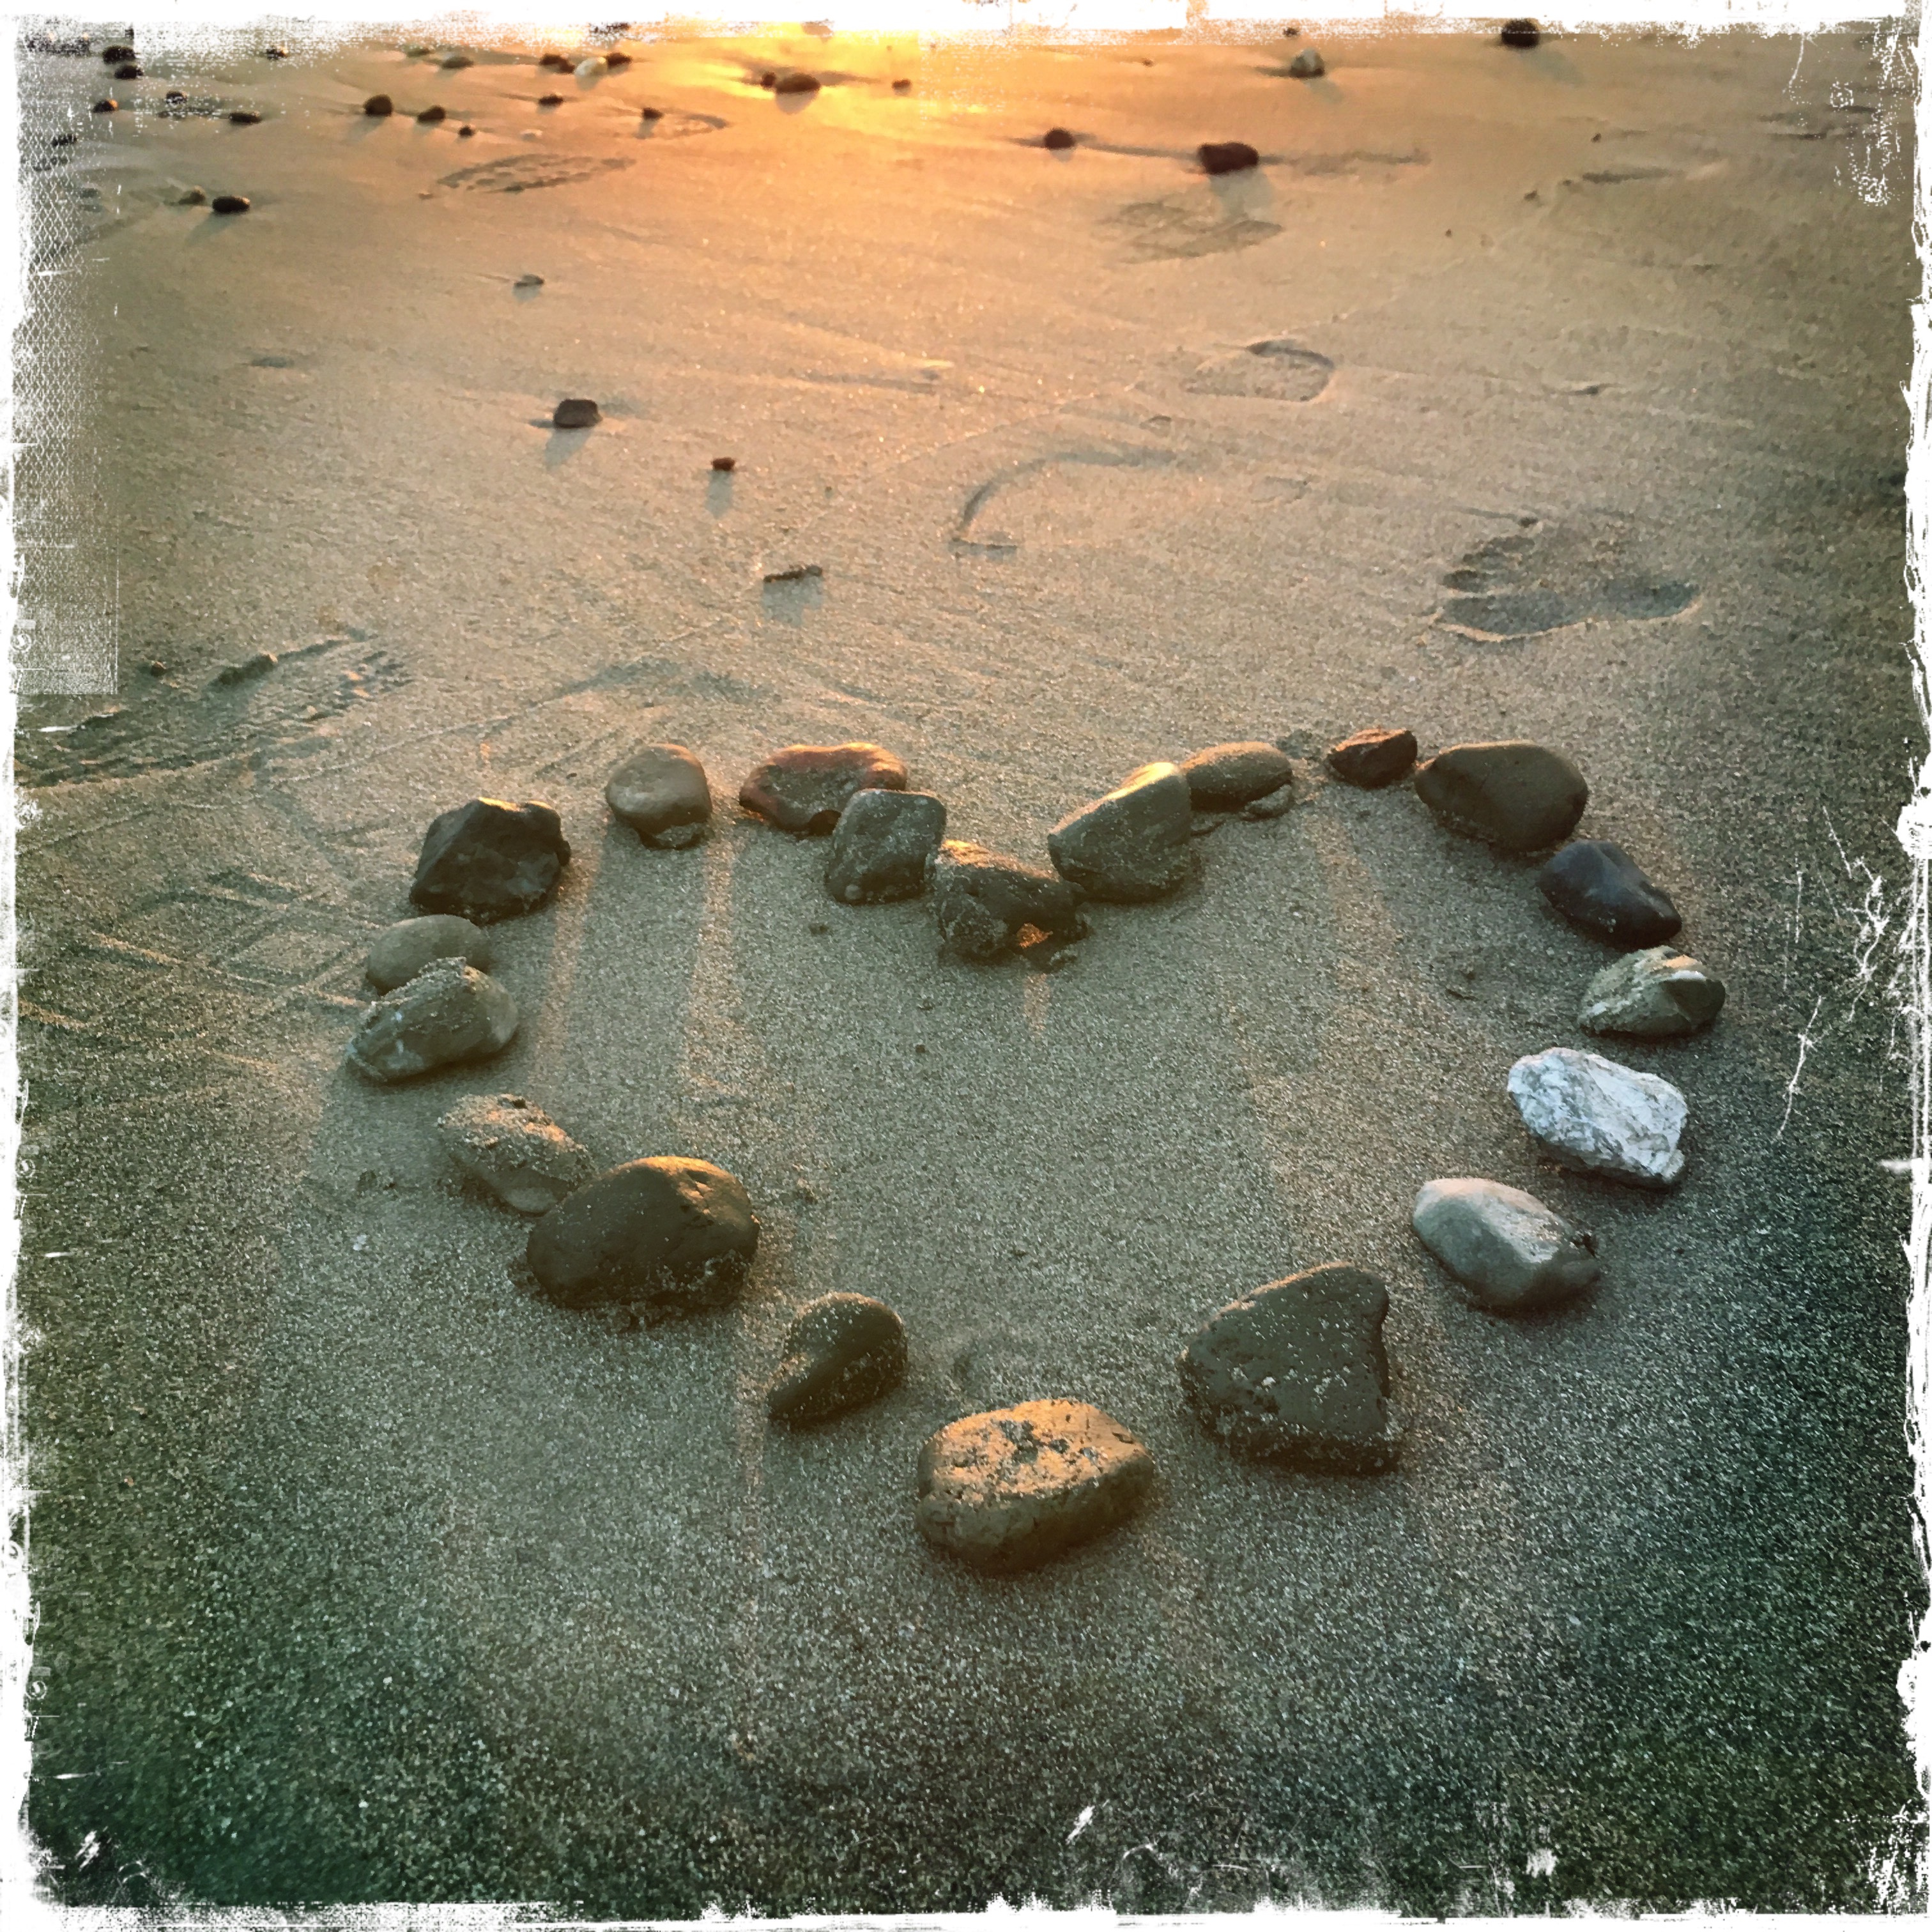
364, 1574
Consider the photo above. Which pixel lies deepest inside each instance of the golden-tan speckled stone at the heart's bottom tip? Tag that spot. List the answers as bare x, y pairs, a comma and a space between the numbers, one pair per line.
1015, 1487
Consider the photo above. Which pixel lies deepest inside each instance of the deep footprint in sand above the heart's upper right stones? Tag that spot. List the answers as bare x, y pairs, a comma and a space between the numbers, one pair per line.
1547, 577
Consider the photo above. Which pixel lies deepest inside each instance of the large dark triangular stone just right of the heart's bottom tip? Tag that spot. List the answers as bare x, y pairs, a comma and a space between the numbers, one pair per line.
1299, 1373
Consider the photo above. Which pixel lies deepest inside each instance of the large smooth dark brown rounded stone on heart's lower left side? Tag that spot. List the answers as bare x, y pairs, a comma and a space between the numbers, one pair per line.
658, 1234
